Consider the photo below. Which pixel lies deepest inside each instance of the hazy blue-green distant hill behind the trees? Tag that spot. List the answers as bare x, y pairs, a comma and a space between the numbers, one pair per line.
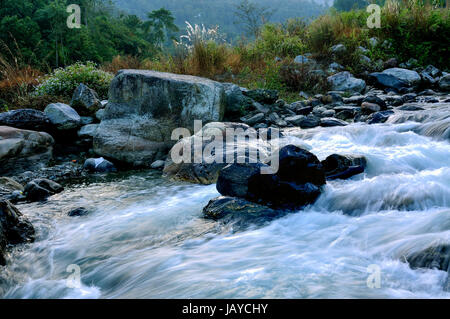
221, 12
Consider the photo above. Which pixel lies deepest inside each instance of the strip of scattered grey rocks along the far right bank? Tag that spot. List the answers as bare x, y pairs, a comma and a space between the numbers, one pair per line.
350, 101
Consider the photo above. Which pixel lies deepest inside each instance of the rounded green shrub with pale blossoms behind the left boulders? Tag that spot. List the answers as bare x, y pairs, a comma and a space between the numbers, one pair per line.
64, 81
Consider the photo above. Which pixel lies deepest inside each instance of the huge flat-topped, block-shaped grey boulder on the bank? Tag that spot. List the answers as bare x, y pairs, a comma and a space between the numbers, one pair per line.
143, 109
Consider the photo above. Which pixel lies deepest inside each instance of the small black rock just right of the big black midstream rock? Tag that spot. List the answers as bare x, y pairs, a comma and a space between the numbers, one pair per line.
343, 166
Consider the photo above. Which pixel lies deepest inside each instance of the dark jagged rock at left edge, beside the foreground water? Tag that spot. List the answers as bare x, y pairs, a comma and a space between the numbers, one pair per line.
14, 228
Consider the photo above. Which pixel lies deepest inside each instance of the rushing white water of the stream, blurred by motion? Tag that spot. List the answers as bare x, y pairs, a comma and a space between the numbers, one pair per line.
146, 237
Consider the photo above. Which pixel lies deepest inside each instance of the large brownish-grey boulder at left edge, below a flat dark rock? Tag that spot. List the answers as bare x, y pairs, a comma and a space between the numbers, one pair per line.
23, 149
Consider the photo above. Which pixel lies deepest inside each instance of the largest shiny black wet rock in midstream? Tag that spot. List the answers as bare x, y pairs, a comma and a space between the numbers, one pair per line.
296, 184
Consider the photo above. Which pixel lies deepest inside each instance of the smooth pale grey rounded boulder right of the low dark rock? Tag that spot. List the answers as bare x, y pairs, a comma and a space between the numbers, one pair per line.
62, 116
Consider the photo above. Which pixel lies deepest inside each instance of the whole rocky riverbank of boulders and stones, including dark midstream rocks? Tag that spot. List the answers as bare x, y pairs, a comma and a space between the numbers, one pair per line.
39, 151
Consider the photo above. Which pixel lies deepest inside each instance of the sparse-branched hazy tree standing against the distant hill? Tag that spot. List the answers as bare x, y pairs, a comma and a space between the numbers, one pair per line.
252, 16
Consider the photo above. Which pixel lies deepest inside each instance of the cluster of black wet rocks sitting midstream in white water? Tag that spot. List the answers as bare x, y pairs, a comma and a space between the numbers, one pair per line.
249, 194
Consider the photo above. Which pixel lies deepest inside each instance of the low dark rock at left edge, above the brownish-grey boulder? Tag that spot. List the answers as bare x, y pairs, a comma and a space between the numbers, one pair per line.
27, 119
